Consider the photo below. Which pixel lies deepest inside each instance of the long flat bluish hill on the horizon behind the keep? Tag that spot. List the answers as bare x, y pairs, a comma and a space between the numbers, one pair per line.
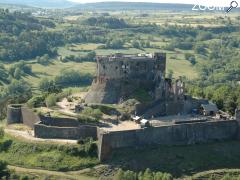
133, 6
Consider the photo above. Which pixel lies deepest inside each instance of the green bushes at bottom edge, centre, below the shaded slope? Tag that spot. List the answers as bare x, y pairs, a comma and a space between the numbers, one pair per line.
146, 175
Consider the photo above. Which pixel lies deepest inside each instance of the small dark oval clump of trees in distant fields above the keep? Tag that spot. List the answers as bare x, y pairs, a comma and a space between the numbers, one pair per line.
106, 22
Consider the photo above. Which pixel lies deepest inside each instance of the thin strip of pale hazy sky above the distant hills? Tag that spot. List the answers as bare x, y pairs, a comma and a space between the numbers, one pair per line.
206, 2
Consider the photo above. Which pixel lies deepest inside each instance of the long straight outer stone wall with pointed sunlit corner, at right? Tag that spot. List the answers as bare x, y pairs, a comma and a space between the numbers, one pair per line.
182, 134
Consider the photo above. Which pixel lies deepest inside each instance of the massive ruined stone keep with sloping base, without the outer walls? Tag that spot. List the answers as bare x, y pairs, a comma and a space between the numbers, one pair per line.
119, 76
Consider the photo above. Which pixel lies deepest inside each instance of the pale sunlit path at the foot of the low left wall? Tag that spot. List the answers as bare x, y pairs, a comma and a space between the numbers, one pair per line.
29, 136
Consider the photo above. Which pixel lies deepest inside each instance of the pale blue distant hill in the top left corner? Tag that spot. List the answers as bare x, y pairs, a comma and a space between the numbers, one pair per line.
41, 3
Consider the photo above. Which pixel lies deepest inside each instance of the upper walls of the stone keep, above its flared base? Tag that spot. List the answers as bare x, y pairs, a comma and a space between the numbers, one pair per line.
140, 66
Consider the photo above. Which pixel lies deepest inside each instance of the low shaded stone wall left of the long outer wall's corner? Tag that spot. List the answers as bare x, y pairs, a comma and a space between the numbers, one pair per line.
54, 132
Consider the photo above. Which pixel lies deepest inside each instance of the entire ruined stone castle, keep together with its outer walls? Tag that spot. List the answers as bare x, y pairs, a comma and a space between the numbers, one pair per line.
116, 79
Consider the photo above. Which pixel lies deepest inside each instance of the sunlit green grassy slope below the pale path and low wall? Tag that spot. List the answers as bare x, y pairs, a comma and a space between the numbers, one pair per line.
47, 156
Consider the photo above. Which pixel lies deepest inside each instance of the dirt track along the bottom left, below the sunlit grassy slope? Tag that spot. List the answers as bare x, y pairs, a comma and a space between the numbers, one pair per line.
72, 175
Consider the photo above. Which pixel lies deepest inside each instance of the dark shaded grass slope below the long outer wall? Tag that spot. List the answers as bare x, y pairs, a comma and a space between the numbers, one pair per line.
180, 160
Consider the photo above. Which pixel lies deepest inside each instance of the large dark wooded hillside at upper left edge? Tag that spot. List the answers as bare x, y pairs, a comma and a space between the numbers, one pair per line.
23, 37
